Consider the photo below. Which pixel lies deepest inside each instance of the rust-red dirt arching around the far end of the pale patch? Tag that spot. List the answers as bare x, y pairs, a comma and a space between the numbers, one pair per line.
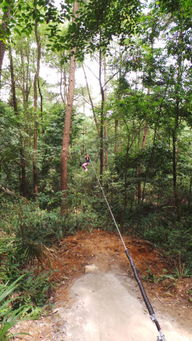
105, 250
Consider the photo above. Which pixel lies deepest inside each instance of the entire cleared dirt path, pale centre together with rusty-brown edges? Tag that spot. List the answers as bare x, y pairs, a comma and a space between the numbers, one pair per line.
81, 301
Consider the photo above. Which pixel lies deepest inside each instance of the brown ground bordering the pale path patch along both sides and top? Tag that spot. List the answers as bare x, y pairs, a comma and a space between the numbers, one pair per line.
168, 296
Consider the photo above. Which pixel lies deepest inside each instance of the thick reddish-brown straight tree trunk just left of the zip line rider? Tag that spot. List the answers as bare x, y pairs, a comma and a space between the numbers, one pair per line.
67, 125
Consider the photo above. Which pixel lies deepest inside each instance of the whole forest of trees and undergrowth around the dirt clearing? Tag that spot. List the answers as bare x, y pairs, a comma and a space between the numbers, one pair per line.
111, 79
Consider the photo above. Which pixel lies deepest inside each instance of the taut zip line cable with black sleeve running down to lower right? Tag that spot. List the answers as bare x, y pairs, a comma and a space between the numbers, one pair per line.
150, 309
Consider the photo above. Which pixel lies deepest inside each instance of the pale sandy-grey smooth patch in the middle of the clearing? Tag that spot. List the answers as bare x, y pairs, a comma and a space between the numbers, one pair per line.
104, 310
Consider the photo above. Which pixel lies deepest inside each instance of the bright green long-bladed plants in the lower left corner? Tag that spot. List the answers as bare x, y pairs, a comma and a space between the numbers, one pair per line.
22, 298
